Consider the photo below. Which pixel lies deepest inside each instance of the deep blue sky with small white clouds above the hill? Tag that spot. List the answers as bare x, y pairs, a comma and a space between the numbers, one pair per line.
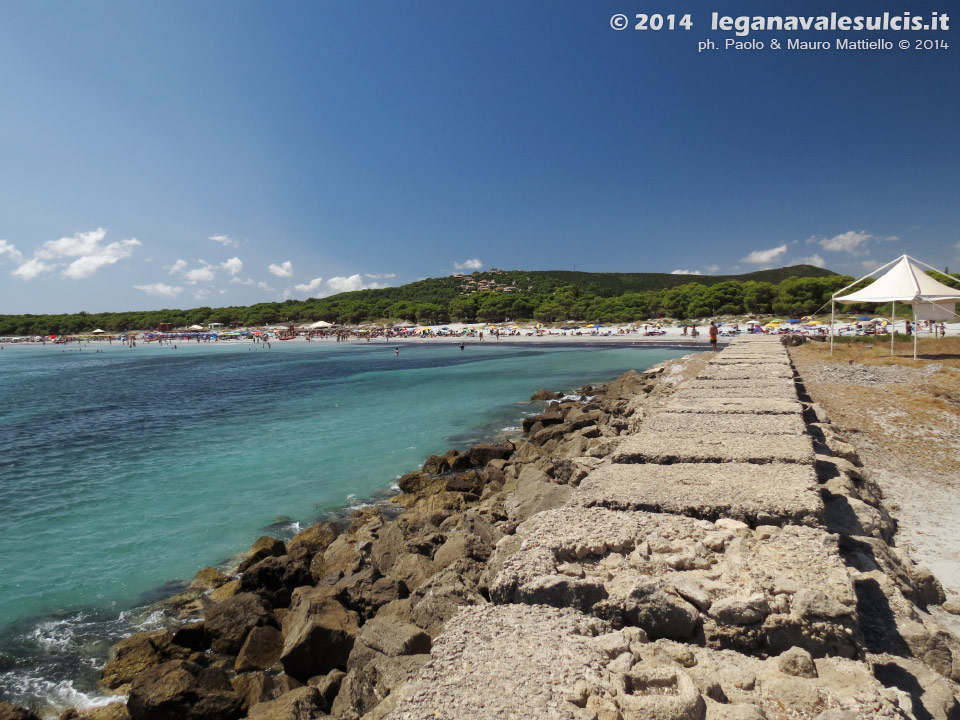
179, 154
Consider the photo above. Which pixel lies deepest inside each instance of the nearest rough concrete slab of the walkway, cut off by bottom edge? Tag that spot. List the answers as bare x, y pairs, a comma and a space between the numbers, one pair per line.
513, 662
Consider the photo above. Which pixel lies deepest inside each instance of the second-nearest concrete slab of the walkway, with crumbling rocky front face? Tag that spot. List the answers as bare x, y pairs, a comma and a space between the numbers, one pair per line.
758, 591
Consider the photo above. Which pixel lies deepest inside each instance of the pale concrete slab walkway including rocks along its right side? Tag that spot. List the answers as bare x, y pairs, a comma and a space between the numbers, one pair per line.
729, 558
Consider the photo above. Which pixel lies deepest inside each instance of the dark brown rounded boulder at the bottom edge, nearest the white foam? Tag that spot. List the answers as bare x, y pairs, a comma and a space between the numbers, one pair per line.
181, 690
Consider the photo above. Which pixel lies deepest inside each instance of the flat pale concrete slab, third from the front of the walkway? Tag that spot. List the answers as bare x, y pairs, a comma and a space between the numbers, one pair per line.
773, 494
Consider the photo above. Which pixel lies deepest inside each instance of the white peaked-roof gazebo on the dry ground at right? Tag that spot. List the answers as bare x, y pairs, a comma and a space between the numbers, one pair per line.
904, 282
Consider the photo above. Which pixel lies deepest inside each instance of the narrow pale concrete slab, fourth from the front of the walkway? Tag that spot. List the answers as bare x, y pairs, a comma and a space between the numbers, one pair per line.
671, 447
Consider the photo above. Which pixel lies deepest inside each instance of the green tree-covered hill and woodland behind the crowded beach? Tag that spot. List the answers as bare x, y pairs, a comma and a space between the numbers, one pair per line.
495, 296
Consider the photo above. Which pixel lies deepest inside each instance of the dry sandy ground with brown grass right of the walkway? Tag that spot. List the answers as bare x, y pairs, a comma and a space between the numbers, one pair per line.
903, 417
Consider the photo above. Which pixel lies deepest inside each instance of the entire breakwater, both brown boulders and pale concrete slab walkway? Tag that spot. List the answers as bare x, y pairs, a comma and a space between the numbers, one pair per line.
693, 542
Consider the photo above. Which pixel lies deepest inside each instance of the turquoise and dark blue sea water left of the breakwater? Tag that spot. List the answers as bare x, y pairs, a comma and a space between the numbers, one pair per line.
125, 471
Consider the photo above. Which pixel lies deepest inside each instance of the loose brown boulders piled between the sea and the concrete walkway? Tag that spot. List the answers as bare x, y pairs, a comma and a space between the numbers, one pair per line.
329, 623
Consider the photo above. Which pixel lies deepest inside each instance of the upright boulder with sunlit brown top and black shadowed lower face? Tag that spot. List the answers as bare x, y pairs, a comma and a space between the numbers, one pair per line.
319, 633
